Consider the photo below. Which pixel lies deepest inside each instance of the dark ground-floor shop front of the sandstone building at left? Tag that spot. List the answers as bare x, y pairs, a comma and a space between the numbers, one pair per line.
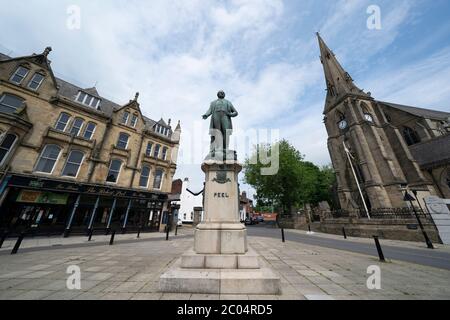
49, 207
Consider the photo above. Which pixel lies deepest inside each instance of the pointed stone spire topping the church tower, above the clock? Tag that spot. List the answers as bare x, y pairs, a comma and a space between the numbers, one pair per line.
339, 82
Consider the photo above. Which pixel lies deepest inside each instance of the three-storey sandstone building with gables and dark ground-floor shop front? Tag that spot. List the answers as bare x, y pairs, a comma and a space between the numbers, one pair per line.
72, 160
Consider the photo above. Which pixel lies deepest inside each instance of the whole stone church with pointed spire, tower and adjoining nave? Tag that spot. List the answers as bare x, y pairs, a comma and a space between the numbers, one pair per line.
382, 147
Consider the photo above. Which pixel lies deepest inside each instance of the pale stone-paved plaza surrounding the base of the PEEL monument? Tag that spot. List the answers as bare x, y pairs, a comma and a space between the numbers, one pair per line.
130, 269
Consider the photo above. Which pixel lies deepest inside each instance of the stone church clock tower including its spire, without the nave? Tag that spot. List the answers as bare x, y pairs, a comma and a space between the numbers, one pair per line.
360, 142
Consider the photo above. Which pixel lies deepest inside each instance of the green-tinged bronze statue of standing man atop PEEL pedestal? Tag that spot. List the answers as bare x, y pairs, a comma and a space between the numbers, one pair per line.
221, 126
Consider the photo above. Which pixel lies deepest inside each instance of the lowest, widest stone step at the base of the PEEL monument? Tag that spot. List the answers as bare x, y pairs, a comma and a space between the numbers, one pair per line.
261, 281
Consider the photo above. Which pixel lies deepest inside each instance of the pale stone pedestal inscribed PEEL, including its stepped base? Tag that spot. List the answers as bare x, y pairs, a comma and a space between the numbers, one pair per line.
221, 261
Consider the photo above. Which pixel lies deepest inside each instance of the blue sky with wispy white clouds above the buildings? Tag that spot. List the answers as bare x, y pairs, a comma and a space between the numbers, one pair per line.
263, 53
